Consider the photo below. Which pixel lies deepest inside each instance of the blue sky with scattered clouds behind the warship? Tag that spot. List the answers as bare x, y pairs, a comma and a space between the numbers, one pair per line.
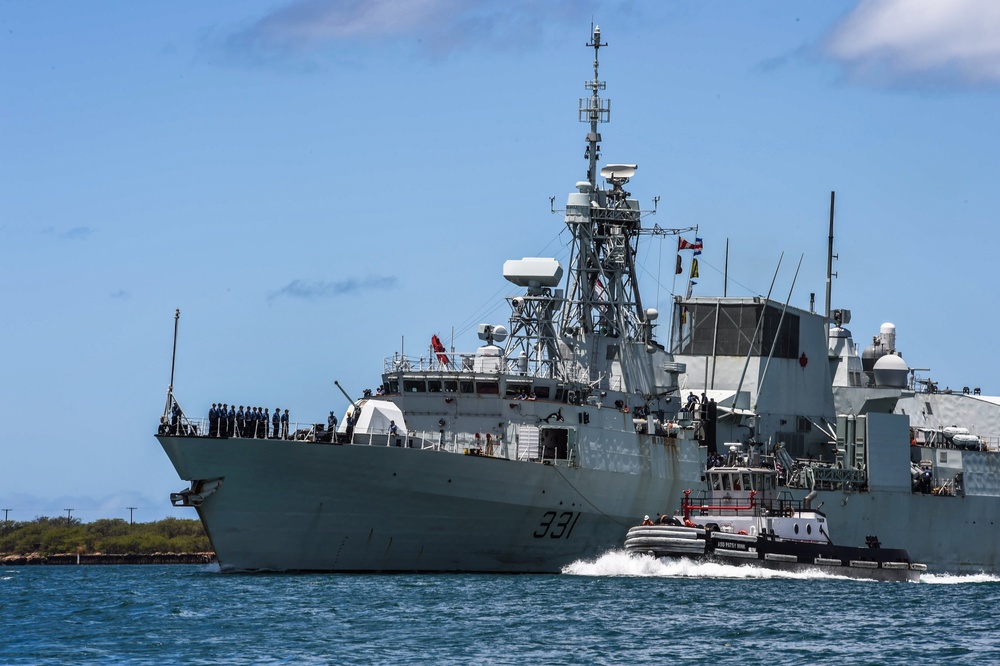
318, 183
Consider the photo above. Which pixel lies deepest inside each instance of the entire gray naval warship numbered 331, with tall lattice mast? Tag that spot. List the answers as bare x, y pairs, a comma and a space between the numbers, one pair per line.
548, 442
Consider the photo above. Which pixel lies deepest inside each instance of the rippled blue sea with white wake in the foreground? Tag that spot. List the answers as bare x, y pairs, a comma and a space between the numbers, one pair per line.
616, 609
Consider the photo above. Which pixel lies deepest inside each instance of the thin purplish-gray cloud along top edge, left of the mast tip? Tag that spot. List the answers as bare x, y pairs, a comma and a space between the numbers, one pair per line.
439, 27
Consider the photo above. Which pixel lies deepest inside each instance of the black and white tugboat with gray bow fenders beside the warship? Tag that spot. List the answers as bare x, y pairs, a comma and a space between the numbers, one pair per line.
742, 519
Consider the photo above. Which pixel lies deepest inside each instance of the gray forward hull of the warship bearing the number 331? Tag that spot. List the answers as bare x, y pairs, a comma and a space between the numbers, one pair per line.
305, 506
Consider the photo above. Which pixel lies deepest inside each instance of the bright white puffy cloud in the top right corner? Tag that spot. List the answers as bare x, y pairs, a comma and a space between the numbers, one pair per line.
920, 42
